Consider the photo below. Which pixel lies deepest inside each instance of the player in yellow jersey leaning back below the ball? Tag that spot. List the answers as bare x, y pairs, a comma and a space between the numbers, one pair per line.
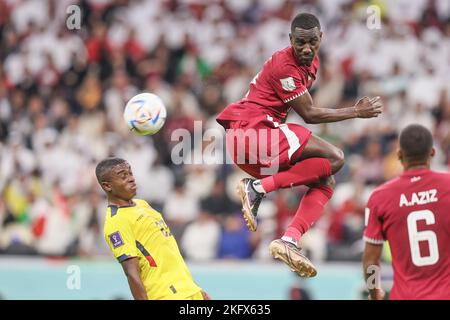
141, 241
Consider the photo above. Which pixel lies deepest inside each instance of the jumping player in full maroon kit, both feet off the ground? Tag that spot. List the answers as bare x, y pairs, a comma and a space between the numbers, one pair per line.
256, 123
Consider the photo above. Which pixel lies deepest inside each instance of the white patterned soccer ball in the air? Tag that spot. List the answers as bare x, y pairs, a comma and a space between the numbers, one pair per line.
145, 114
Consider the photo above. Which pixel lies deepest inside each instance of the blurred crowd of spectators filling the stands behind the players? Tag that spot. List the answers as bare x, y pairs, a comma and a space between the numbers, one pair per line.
62, 93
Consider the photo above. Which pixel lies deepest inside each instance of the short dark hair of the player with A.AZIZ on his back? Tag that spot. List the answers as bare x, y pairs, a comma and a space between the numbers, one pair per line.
416, 142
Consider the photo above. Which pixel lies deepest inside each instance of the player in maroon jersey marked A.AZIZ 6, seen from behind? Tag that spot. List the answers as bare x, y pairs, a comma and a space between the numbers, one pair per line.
412, 213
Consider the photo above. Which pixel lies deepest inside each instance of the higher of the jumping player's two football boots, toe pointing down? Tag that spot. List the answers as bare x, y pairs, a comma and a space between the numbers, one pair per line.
251, 199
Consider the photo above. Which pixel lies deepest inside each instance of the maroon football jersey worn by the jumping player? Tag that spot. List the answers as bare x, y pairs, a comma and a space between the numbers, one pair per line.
282, 79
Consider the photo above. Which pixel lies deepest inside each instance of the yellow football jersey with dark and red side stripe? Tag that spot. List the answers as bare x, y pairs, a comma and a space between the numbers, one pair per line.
140, 231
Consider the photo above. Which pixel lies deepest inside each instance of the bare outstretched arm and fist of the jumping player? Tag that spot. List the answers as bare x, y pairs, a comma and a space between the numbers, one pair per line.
364, 108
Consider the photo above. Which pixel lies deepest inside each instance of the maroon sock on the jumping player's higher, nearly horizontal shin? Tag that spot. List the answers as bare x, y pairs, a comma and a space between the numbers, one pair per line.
304, 172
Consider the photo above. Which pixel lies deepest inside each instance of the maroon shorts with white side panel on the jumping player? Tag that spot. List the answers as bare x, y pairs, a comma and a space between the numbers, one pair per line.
261, 149
